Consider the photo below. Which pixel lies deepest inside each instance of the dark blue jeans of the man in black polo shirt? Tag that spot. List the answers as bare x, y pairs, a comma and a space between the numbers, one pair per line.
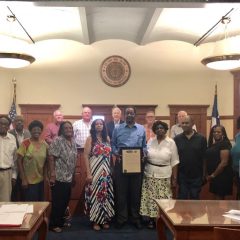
189, 188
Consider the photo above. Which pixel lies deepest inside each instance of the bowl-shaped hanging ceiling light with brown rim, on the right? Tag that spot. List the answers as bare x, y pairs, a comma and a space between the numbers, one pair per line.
225, 61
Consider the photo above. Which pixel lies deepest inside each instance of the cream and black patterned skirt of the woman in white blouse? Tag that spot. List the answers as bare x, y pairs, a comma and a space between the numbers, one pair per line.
154, 188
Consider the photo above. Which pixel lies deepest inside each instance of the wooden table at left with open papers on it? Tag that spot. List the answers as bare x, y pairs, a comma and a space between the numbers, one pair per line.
36, 221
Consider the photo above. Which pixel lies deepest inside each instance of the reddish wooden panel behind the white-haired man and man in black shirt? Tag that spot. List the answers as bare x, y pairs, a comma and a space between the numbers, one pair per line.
197, 112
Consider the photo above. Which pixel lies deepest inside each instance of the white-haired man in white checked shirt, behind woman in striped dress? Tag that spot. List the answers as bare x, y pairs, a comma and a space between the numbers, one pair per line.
82, 127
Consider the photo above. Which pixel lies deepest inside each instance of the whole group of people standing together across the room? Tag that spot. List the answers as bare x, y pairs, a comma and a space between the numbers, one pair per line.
185, 160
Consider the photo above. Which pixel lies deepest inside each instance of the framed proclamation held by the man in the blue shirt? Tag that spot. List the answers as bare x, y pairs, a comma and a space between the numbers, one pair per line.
131, 160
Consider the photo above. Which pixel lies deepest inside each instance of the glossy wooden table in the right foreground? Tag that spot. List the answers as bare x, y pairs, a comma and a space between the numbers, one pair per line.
194, 219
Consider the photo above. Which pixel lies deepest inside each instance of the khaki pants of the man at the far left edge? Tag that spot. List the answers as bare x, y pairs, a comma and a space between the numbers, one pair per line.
5, 185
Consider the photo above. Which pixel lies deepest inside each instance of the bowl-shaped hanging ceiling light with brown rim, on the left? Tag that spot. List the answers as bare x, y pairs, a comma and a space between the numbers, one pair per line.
16, 59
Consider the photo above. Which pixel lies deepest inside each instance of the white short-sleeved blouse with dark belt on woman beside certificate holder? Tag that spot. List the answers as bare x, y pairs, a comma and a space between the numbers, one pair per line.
163, 153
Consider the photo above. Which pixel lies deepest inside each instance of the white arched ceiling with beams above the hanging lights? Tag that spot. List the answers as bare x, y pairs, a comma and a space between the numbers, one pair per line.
141, 22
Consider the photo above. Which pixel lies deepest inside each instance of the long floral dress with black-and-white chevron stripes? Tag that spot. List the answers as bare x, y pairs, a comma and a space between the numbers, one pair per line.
99, 202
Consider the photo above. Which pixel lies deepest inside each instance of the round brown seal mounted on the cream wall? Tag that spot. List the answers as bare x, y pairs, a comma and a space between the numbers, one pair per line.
115, 71
